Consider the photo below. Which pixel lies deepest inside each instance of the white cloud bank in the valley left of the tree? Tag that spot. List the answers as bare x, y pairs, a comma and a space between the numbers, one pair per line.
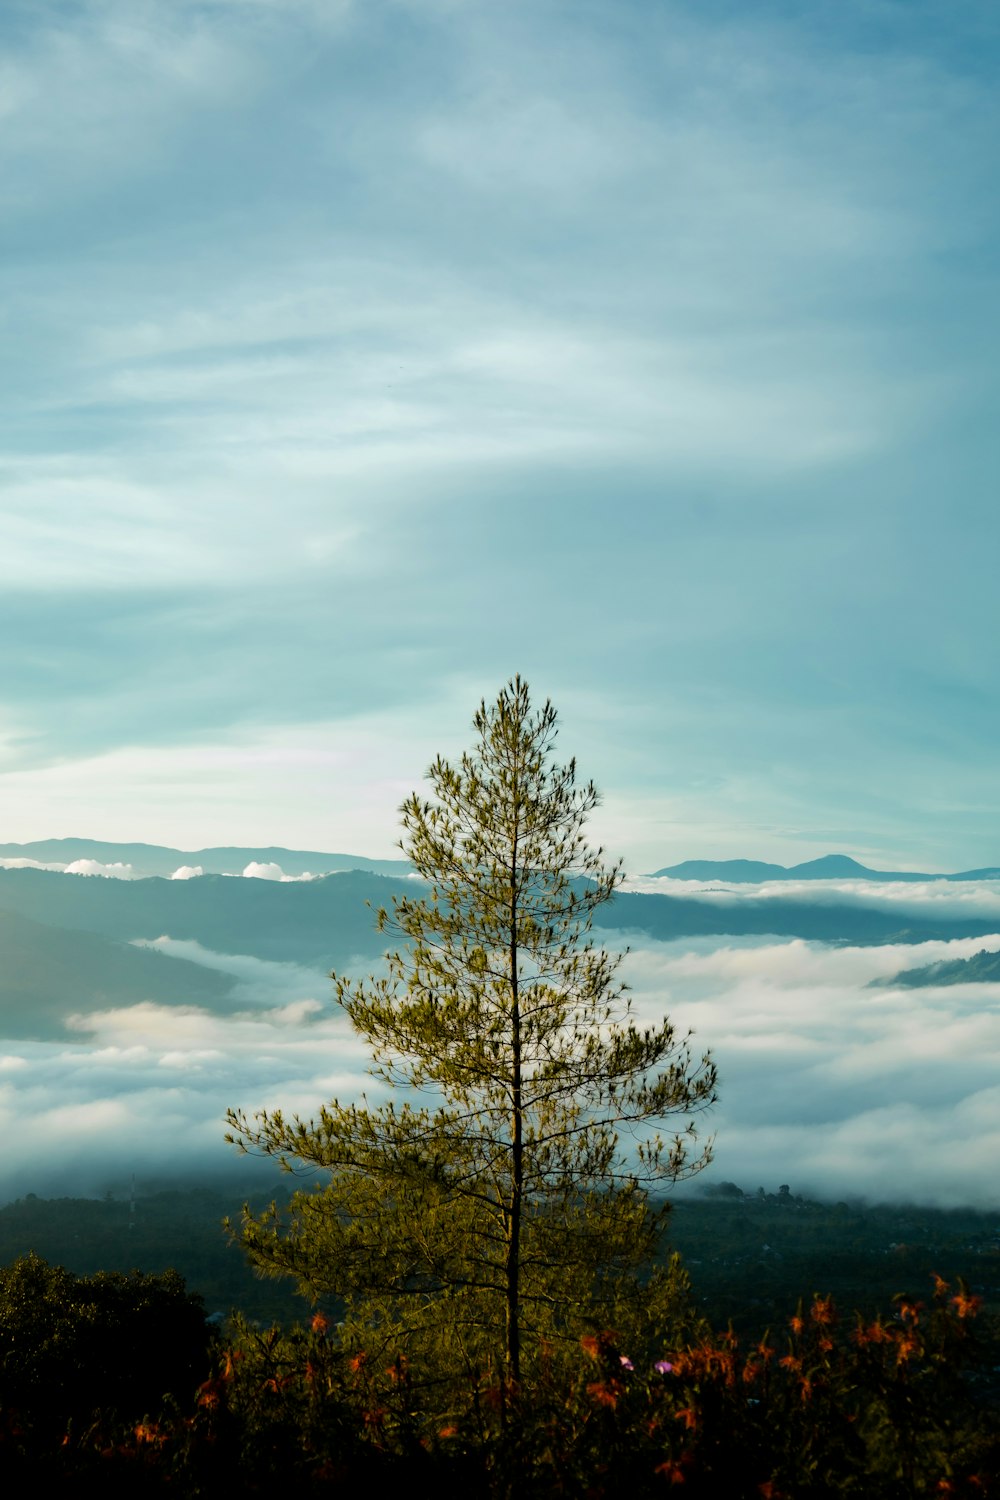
145, 1088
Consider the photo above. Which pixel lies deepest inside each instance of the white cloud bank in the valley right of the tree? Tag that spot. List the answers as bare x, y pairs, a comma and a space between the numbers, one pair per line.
830, 1085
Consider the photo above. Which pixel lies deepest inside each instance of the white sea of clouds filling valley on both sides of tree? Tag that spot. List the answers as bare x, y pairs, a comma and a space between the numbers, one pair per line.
834, 1087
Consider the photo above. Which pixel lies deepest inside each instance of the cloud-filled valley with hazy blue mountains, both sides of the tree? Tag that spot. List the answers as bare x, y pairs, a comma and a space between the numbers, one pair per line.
855, 1021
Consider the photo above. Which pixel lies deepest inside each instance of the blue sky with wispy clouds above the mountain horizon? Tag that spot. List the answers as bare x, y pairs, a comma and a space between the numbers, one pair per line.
358, 356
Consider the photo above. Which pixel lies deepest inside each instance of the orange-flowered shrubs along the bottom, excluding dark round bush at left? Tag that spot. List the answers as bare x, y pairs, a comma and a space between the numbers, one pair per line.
881, 1409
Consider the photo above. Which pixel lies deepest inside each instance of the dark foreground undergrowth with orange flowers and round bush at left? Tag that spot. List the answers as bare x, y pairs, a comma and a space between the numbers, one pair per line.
119, 1382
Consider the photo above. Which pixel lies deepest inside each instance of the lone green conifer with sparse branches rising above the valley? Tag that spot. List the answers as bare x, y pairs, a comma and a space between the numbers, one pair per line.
509, 1210
